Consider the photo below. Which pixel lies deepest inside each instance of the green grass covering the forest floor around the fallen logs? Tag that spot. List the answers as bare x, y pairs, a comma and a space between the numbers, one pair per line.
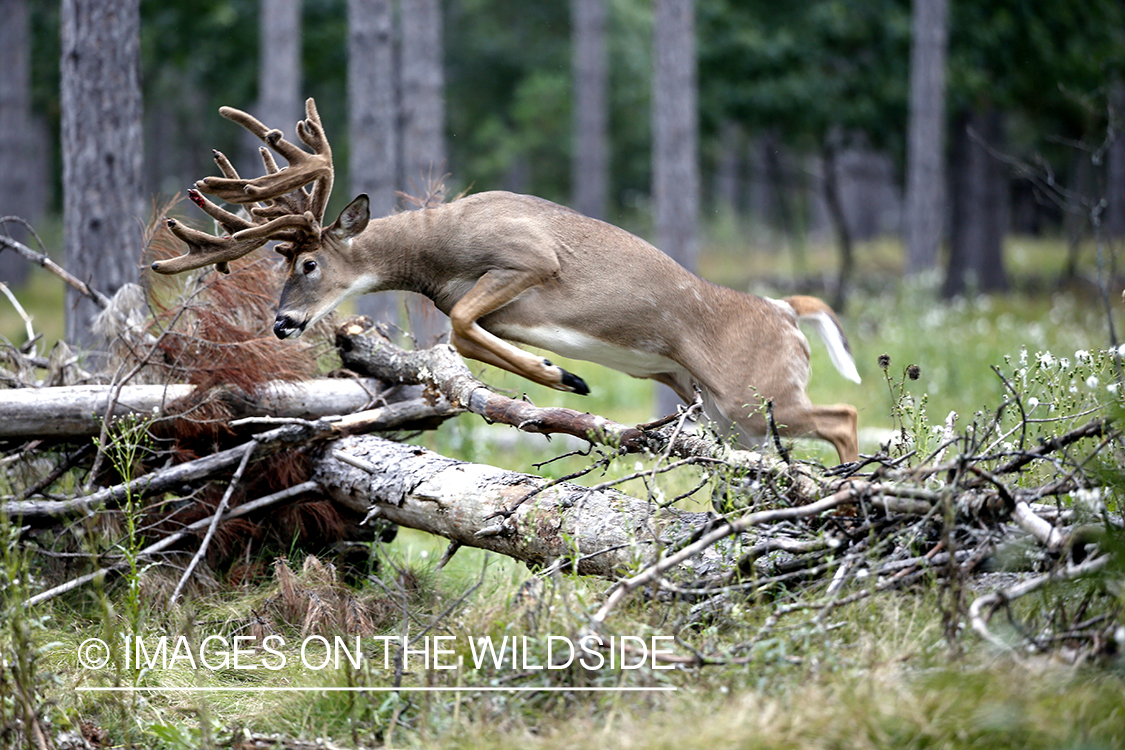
880, 674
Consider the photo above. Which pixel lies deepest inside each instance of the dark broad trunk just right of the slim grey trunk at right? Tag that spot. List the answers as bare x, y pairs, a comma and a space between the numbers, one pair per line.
979, 198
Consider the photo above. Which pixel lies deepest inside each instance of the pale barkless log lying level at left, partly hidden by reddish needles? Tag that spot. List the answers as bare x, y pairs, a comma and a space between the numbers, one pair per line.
77, 411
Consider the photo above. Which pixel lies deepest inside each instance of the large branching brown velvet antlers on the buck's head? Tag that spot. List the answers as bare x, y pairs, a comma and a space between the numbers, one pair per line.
286, 211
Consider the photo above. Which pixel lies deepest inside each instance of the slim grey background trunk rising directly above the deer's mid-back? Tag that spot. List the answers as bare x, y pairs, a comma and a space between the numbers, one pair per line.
591, 148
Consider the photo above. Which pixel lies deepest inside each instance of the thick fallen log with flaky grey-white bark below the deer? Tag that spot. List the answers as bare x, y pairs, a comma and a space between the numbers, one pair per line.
600, 532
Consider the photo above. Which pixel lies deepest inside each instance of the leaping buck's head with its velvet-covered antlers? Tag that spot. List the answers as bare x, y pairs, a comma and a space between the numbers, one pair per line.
281, 209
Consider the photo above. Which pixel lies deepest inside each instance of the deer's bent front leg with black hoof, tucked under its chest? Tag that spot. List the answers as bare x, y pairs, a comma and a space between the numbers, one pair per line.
491, 293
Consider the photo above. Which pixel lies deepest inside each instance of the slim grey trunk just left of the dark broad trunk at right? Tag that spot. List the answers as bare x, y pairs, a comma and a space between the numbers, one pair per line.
926, 137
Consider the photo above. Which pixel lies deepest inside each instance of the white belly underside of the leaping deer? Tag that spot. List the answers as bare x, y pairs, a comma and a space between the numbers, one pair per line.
580, 346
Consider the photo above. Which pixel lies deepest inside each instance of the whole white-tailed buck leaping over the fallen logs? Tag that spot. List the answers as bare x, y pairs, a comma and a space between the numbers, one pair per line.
509, 268
